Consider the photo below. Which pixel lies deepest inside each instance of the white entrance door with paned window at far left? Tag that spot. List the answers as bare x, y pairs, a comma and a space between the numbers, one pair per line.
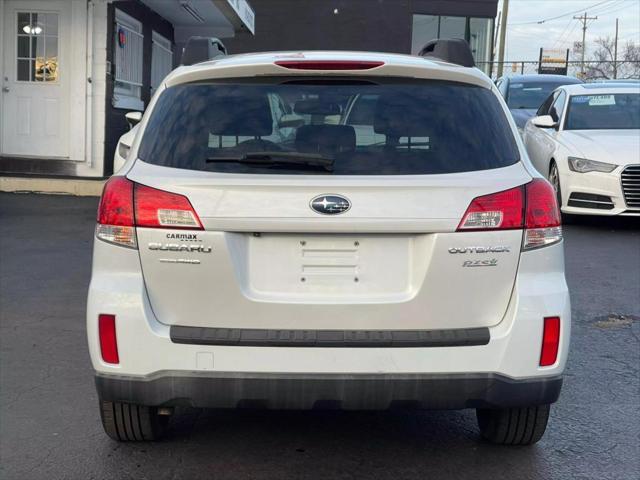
35, 79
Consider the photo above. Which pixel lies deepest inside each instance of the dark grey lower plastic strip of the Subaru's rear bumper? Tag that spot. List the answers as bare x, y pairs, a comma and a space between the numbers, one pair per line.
330, 391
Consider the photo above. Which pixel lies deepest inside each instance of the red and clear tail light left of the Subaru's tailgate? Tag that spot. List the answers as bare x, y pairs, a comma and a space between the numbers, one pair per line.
125, 205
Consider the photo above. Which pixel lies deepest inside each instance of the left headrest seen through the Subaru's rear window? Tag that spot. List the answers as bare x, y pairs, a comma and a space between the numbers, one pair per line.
246, 115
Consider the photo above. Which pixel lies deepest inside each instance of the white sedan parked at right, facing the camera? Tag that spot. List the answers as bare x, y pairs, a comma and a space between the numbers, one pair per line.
586, 140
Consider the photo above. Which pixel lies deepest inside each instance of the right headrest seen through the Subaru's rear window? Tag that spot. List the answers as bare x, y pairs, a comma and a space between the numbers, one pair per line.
404, 116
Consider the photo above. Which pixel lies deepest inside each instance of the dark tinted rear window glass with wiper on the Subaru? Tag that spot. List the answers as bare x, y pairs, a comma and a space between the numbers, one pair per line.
328, 127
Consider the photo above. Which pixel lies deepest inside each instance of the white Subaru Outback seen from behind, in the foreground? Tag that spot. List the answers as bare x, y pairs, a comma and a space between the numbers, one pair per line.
377, 240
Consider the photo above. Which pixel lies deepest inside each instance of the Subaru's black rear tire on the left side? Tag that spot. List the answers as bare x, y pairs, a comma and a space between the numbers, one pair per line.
128, 422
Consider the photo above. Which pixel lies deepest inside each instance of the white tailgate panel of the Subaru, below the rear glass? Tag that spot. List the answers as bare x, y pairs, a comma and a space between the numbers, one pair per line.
393, 261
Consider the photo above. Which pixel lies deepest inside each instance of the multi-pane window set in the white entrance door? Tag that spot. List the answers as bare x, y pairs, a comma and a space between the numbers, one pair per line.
37, 47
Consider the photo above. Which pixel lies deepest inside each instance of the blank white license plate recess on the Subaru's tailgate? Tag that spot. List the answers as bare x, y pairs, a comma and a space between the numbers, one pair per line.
330, 267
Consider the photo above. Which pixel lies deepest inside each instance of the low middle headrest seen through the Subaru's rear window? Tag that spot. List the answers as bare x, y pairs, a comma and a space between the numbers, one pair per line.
329, 139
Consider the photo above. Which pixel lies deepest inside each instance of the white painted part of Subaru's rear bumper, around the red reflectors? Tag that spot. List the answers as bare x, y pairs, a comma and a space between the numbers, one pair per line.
148, 350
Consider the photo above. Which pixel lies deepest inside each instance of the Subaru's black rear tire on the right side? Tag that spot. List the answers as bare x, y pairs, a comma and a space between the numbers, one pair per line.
513, 426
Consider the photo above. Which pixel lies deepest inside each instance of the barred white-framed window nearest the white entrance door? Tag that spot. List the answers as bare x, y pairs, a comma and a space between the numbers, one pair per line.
128, 62
